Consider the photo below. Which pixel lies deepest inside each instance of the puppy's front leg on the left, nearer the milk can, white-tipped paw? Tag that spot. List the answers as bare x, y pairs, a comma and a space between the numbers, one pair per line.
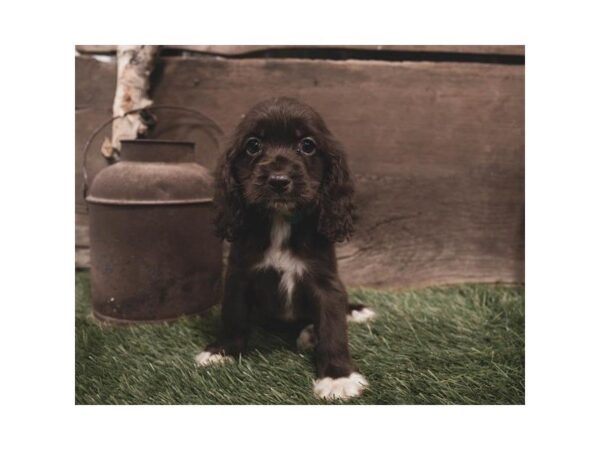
234, 317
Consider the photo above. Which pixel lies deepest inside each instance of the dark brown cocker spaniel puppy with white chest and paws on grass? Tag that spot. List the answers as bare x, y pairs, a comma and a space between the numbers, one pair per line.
284, 197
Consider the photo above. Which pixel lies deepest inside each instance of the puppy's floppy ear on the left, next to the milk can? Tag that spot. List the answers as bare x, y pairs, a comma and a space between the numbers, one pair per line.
228, 198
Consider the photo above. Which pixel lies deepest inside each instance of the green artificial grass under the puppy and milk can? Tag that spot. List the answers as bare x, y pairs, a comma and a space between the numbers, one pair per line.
454, 345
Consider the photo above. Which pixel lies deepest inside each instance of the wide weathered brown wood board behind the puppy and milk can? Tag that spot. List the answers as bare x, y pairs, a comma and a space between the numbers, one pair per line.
437, 151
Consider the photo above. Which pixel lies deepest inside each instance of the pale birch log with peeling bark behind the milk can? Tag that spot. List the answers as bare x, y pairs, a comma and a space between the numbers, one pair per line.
134, 66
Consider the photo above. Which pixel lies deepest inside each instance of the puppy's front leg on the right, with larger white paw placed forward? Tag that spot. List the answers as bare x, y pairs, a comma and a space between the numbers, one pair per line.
337, 378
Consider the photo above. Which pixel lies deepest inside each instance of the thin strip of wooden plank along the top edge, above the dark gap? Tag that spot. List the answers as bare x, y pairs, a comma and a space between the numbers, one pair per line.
238, 50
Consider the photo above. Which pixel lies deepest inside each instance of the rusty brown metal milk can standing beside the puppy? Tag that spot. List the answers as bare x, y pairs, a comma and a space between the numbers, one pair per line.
153, 254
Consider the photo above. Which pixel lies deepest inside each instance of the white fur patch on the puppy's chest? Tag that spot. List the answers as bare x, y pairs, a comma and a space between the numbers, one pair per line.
281, 259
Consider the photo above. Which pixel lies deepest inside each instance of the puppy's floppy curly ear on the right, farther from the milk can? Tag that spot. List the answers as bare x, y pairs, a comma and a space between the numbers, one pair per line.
337, 212
